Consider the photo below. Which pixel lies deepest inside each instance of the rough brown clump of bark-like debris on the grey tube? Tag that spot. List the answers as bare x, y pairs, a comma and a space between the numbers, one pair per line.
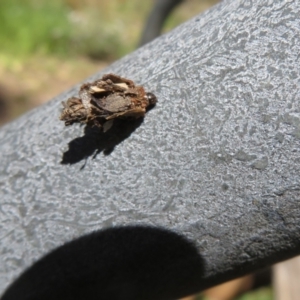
106, 99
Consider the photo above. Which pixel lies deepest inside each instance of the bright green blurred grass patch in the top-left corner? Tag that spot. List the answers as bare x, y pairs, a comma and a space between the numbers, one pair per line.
29, 27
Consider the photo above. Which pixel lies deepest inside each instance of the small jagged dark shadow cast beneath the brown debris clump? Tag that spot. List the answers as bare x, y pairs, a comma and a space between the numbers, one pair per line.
95, 141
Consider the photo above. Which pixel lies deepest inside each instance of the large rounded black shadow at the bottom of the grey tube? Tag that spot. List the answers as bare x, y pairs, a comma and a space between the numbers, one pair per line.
128, 263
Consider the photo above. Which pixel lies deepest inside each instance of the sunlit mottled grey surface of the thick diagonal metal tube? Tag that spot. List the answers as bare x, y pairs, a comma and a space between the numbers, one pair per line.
217, 159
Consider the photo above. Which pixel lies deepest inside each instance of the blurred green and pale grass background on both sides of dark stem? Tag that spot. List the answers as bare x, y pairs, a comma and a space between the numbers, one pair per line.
99, 29
